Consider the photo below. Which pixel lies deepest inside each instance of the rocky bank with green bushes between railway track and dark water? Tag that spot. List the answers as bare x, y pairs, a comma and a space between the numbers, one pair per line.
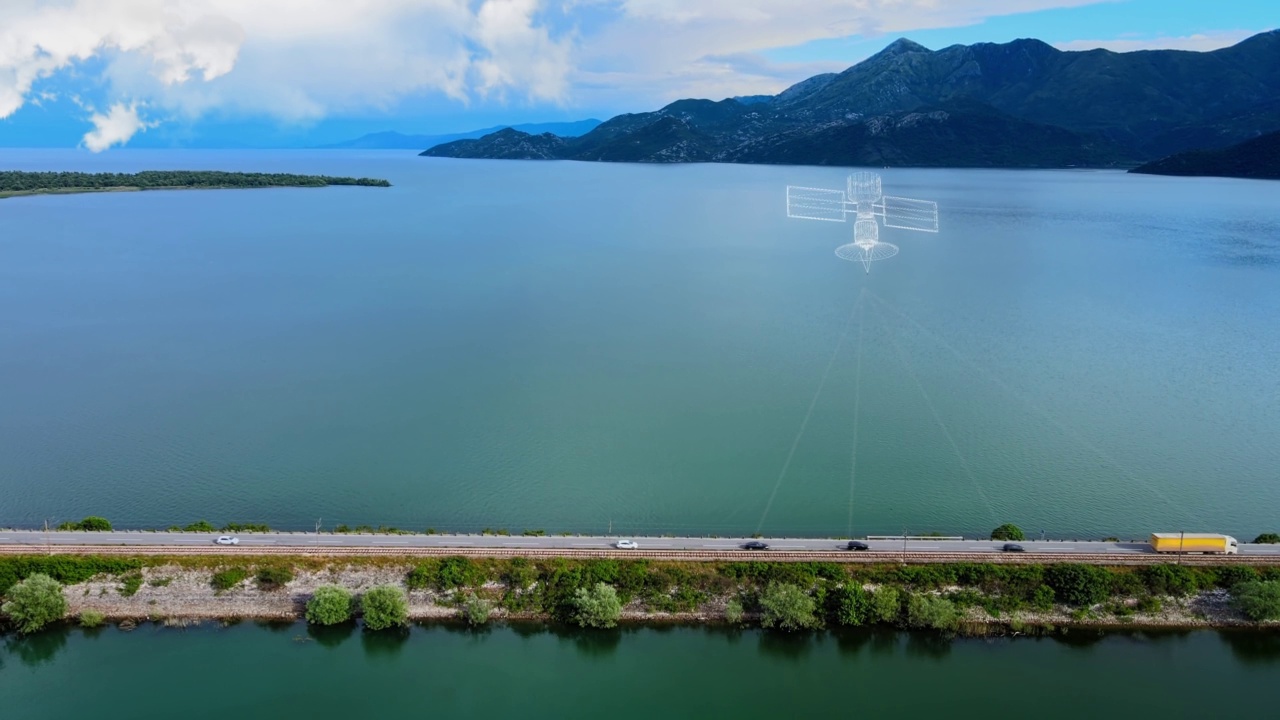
973, 599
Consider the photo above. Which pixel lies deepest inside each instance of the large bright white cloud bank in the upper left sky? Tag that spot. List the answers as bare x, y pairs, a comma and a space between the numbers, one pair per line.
292, 60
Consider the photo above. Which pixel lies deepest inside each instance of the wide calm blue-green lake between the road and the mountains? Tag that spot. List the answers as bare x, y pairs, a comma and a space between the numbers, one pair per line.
568, 345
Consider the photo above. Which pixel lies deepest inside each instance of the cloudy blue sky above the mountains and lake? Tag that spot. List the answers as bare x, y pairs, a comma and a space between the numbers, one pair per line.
294, 74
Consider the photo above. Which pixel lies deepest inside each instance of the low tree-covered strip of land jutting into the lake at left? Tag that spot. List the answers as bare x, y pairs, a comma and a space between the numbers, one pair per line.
17, 183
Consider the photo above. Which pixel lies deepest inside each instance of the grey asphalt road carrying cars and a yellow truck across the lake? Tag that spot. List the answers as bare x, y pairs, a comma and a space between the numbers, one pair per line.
570, 543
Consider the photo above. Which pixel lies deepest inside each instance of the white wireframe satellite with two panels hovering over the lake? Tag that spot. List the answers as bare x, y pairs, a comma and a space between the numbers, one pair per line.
865, 200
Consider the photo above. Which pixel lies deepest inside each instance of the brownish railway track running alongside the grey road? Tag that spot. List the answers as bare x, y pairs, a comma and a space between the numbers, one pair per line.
674, 555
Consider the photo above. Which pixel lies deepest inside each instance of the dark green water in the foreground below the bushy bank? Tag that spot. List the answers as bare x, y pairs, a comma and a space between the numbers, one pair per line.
250, 672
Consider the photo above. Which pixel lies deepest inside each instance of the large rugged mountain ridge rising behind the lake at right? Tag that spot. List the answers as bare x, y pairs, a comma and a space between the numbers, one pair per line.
1014, 104
